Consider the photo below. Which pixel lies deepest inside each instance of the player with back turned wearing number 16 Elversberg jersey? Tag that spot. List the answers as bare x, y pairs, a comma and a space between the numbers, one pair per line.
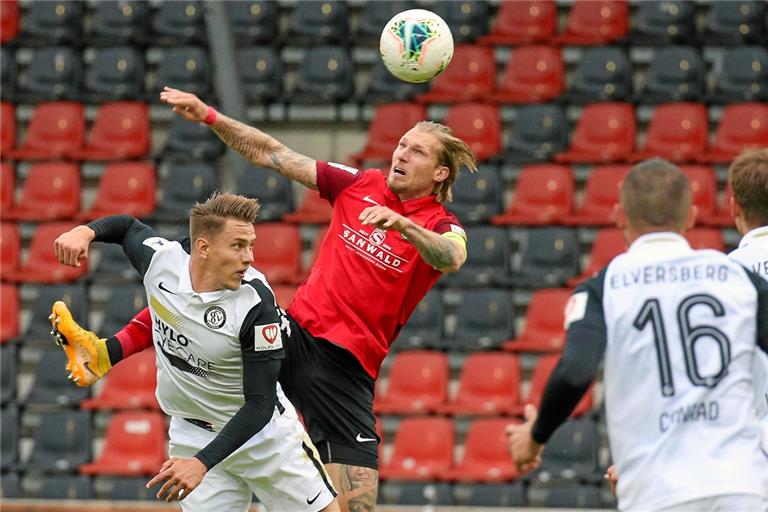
679, 329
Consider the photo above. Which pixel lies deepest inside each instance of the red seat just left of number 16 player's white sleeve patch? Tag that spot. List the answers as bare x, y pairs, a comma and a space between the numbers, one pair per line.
543, 329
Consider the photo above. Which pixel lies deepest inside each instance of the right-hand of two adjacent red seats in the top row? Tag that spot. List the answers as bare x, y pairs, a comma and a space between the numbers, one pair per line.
595, 22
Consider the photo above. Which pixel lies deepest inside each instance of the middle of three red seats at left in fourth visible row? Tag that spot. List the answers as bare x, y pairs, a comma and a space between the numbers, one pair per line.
51, 191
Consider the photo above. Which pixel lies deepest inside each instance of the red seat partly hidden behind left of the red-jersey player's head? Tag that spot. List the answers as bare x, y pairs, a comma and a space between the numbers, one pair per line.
388, 125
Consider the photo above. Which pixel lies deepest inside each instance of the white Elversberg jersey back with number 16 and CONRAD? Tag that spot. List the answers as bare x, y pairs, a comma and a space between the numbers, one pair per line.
680, 327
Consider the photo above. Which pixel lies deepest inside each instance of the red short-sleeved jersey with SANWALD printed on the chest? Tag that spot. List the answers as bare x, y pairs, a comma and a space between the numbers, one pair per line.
366, 281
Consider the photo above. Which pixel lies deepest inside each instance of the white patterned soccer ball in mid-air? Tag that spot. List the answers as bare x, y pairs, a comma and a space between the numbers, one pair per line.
416, 45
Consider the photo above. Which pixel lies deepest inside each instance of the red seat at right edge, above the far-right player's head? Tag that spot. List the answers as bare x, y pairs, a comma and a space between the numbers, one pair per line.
742, 126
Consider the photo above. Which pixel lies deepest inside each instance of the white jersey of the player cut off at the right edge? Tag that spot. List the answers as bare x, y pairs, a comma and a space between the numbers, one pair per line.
753, 254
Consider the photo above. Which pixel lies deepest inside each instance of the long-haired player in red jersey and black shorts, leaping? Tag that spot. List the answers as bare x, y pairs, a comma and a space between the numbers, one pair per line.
389, 241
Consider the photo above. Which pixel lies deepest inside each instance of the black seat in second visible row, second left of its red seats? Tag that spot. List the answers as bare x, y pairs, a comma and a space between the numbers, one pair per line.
325, 75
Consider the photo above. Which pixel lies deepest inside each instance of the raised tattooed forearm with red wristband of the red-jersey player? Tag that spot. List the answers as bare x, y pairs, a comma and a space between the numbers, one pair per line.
256, 146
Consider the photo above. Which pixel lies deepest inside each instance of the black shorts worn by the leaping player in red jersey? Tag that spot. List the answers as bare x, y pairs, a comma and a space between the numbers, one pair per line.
334, 394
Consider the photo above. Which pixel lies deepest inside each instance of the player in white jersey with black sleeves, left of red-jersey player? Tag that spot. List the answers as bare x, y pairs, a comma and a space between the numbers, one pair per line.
218, 336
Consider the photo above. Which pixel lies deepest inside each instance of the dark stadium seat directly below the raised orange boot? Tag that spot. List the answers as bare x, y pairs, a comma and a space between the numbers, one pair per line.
51, 386
